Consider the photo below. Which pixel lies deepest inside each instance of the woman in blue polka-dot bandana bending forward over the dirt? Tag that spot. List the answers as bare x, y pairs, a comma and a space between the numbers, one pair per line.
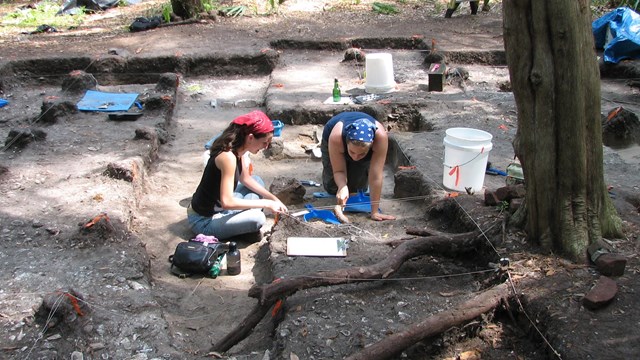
354, 149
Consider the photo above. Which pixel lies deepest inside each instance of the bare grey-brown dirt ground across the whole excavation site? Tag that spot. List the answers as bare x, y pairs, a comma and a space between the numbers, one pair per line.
92, 206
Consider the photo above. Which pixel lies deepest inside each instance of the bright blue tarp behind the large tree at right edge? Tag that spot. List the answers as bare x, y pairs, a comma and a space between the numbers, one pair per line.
618, 33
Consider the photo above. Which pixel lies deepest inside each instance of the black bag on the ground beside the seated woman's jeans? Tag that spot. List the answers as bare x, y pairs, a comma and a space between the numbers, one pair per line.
193, 257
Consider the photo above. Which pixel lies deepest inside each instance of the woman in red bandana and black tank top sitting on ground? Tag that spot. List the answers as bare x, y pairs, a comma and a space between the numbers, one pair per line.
229, 200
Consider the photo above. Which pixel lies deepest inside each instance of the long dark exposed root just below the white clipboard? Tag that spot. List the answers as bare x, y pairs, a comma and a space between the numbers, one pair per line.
449, 244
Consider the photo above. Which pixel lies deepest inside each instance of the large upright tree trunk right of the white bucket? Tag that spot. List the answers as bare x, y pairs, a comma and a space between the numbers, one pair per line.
556, 85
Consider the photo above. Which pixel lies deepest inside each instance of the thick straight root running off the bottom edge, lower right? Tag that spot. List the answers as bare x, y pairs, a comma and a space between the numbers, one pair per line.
393, 345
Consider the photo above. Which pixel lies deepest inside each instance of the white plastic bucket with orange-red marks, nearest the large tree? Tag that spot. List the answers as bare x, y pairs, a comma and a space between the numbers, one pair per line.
466, 152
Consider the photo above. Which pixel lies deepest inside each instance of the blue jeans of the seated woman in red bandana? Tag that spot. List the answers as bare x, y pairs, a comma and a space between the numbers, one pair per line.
229, 223
